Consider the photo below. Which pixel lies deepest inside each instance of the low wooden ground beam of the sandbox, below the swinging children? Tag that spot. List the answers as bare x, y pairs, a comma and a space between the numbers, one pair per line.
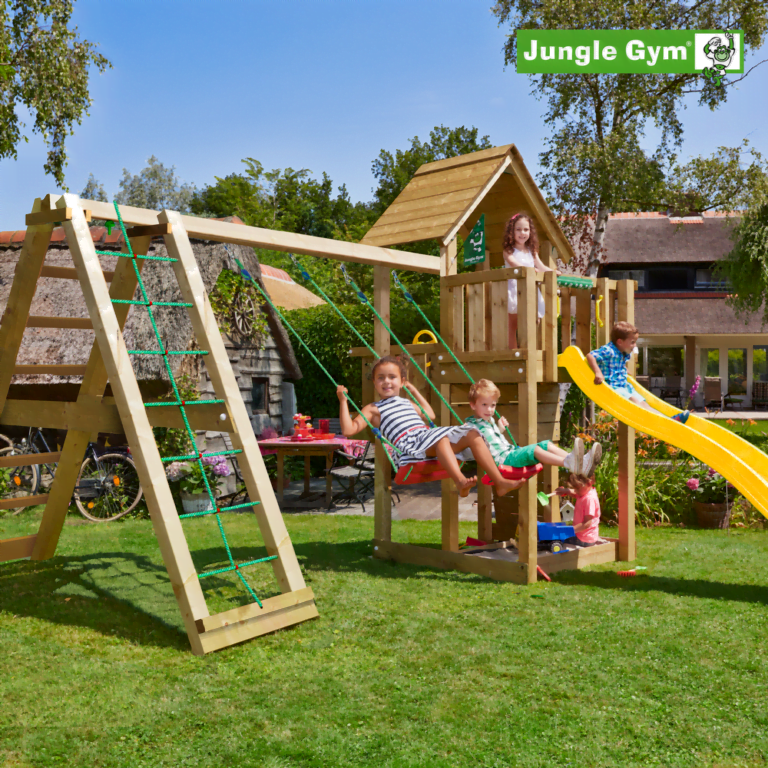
500, 570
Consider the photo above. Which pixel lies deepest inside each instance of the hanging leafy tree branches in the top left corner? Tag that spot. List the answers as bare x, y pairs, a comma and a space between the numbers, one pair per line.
45, 67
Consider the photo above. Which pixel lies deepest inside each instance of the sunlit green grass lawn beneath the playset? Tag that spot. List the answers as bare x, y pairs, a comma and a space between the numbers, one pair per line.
406, 666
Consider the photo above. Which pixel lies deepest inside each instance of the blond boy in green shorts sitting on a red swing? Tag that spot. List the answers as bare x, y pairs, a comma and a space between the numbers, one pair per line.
483, 398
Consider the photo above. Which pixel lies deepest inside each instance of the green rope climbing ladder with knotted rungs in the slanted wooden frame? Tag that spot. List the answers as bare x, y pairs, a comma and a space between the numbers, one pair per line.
181, 404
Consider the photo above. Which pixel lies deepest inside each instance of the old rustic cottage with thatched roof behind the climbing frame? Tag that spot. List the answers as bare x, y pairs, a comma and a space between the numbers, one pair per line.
264, 365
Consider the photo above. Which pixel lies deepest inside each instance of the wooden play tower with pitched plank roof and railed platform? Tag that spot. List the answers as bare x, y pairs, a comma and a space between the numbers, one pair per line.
447, 198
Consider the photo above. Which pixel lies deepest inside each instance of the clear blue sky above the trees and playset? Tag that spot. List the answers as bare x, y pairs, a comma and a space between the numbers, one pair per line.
308, 84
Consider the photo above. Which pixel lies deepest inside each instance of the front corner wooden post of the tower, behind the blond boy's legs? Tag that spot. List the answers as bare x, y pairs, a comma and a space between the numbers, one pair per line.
527, 303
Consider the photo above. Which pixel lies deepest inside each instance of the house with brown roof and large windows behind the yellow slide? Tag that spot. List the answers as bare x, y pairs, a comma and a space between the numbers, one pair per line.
686, 328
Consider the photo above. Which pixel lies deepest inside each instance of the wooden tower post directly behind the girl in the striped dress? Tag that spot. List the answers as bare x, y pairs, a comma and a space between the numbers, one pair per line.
382, 514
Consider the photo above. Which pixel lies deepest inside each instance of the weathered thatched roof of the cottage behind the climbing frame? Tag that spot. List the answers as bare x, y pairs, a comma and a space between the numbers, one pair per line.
64, 298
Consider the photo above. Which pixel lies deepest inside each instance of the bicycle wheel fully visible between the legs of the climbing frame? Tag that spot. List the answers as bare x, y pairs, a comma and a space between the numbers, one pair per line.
107, 488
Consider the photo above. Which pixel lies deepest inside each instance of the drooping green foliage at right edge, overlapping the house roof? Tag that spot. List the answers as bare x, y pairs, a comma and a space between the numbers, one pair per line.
746, 266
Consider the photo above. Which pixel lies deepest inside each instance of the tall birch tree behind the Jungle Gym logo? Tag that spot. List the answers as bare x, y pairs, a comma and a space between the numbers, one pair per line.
593, 162
